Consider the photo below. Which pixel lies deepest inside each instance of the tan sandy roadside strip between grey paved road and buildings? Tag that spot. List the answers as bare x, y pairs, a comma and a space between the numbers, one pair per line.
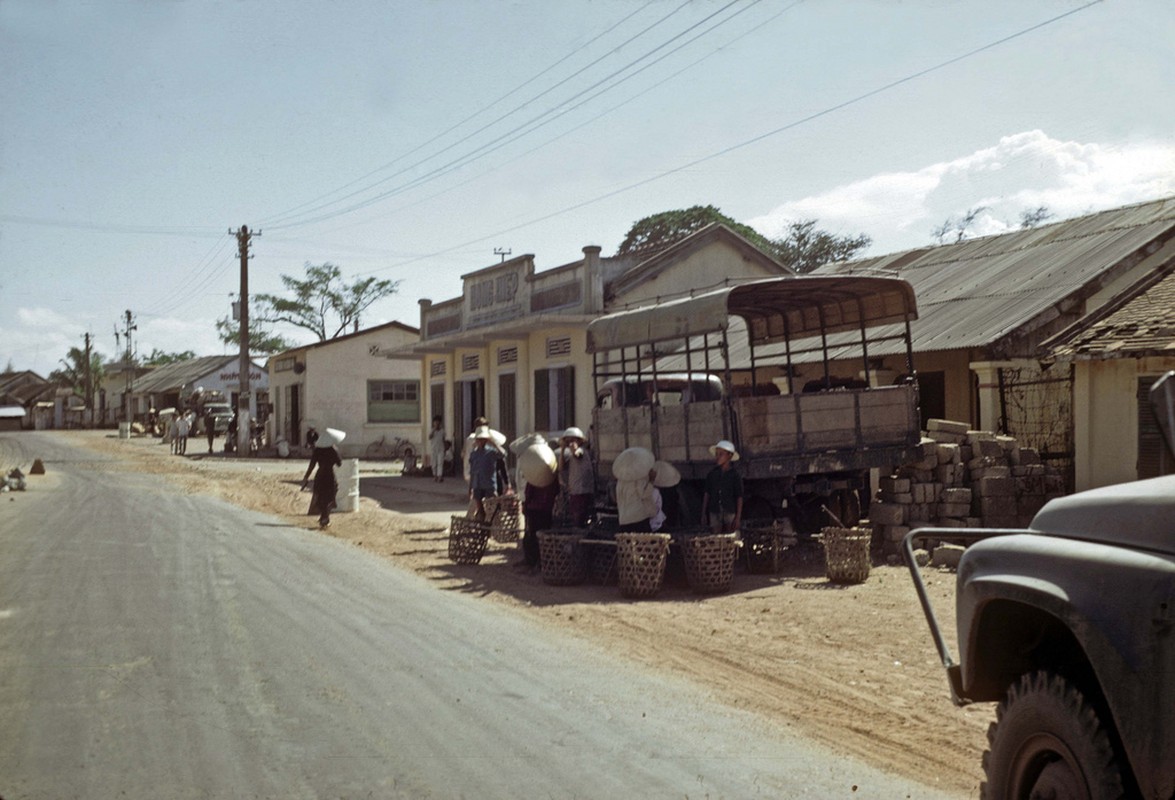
852, 668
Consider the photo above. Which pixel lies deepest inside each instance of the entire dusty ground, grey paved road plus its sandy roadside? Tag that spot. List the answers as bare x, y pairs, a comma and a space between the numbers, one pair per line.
301, 671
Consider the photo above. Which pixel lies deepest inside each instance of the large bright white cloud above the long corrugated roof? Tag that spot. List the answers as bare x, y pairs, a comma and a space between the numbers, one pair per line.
1023, 172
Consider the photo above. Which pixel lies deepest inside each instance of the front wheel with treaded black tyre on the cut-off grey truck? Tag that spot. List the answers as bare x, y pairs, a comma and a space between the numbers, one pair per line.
1049, 743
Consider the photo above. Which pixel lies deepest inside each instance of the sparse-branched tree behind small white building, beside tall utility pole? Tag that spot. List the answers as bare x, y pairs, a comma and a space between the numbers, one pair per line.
323, 302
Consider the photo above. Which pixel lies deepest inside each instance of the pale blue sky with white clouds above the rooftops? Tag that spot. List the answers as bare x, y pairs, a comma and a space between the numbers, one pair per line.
419, 140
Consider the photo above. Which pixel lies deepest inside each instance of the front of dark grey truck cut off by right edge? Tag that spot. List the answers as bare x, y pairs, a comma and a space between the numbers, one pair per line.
1070, 627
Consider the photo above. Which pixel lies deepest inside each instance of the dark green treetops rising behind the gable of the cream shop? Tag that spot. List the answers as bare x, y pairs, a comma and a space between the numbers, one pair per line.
803, 248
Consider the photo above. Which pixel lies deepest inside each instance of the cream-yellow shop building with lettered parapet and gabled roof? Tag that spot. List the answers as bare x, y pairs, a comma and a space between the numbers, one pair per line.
513, 347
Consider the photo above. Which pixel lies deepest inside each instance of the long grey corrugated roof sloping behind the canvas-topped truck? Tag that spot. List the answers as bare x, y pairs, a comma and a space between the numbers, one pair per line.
975, 293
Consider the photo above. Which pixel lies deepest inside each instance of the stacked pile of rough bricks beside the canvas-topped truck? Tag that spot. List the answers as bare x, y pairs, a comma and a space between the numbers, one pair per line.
965, 479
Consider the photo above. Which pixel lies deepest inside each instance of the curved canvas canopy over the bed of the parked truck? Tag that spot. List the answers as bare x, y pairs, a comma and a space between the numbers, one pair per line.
775, 310
